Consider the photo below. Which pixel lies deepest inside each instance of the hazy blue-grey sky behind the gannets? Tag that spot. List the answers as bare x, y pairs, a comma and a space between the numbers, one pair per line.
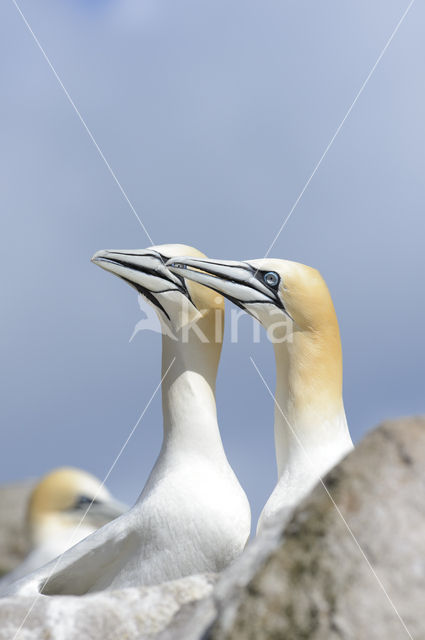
213, 114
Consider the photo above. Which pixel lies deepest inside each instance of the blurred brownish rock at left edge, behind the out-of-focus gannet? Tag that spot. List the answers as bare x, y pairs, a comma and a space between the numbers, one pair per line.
13, 543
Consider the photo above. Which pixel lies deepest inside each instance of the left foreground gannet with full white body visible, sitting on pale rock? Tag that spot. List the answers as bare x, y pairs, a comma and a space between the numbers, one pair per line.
192, 515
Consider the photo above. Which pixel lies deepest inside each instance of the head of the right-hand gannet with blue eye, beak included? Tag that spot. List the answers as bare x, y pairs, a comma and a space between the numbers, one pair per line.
264, 288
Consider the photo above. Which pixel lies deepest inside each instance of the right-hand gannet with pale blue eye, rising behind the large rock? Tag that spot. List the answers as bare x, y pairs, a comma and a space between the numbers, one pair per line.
293, 303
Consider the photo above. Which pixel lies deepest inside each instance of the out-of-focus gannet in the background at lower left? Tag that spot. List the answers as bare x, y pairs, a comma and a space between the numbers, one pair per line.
56, 506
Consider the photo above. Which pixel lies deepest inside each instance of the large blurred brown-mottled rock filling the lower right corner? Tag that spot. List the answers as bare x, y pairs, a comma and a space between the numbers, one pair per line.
349, 565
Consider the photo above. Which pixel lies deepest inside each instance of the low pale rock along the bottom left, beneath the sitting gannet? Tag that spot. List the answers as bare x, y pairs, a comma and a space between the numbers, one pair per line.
129, 614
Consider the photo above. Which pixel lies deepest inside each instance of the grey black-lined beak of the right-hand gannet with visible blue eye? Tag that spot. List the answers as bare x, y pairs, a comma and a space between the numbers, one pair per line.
237, 281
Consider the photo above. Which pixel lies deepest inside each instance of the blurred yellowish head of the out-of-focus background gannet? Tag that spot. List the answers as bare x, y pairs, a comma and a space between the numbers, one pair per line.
61, 498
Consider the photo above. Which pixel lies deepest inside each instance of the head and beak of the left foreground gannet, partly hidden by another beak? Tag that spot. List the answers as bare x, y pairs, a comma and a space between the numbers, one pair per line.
177, 302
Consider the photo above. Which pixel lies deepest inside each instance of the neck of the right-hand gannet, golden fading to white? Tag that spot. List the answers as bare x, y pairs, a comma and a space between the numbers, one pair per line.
310, 427
